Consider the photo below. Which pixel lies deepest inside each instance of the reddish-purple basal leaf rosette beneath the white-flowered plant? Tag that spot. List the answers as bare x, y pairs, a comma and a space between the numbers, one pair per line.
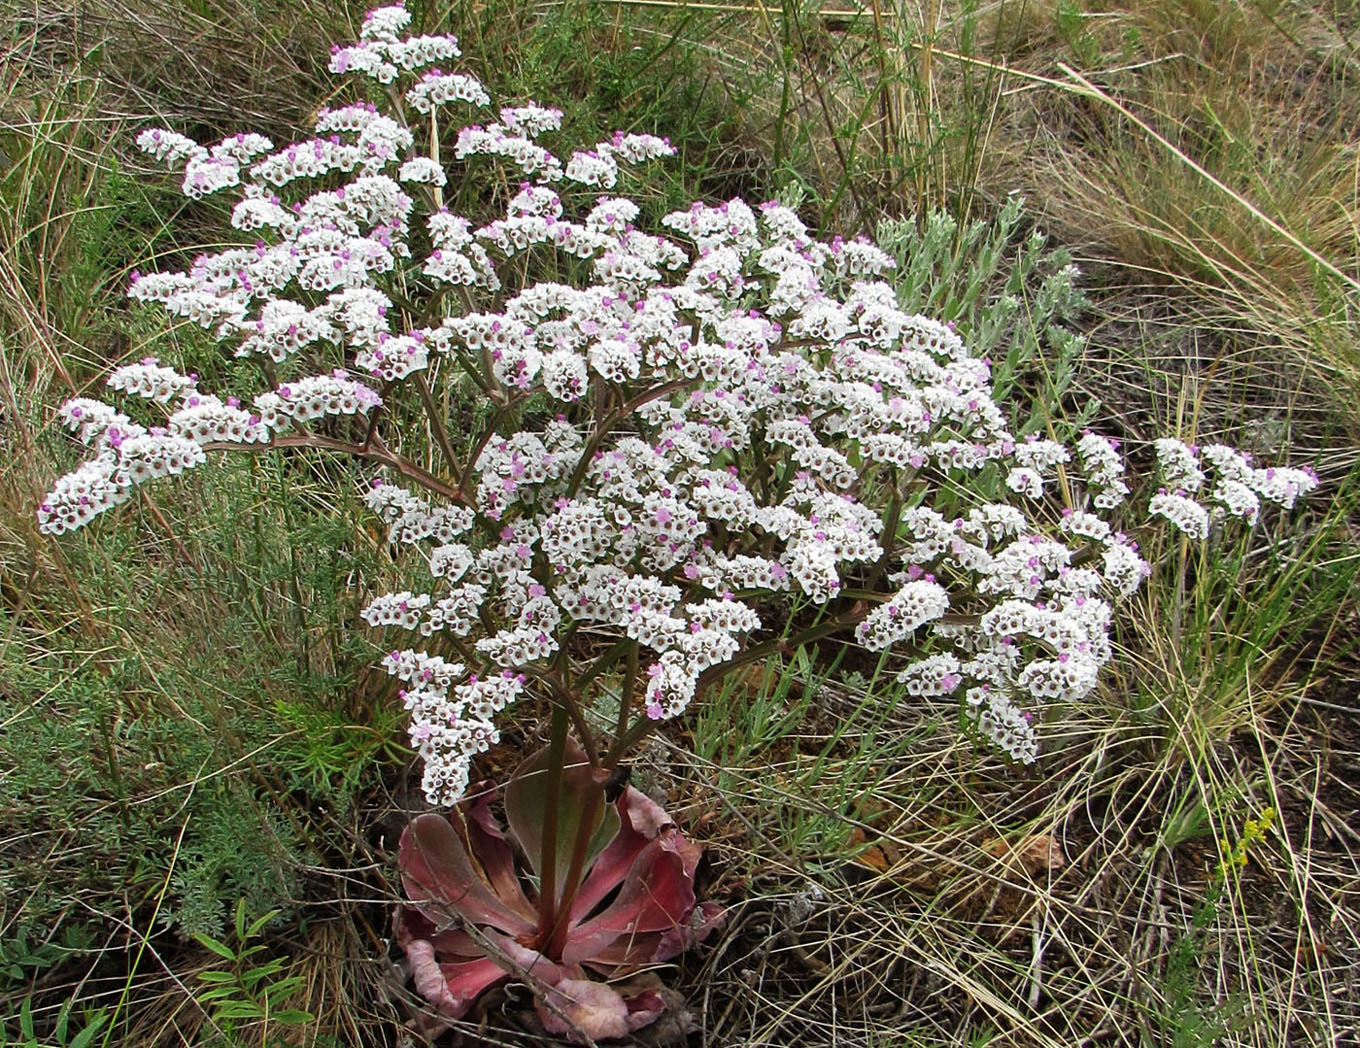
474, 922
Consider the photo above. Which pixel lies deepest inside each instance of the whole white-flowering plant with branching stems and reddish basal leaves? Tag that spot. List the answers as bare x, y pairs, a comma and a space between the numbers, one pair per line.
701, 442
